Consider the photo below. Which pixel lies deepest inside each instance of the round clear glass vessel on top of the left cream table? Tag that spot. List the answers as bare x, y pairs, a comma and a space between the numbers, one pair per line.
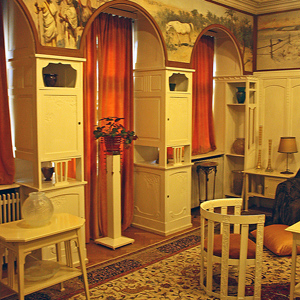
37, 209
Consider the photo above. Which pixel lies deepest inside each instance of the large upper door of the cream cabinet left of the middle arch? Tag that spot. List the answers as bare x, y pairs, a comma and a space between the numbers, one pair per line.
60, 125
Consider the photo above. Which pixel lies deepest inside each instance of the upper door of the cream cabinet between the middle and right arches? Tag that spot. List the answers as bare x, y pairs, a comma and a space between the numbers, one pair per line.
178, 120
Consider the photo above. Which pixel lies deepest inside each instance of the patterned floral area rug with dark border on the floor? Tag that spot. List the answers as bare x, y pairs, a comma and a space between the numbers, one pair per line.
166, 271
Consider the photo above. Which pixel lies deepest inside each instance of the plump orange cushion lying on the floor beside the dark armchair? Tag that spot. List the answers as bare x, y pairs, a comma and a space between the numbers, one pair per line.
277, 239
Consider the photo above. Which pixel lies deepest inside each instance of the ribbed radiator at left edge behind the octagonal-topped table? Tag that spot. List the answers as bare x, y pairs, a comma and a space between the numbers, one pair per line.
10, 210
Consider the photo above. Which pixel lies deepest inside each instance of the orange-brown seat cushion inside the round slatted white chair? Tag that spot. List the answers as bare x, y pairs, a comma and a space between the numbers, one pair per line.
234, 246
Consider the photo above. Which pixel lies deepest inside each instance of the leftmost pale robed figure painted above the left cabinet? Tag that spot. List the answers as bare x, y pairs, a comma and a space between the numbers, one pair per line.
49, 12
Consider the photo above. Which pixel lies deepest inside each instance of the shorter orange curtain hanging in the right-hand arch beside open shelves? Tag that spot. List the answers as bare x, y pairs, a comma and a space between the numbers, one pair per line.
203, 140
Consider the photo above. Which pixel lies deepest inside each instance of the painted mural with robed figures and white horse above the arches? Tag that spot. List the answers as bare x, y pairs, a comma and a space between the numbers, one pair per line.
60, 23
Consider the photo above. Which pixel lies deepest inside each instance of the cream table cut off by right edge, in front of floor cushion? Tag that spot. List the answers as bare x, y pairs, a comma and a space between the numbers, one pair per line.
295, 230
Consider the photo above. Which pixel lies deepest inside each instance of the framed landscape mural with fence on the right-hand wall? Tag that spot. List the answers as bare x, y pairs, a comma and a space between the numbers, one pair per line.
278, 45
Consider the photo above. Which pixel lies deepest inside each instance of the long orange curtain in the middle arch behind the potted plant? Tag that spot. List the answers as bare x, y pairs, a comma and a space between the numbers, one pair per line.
109, 92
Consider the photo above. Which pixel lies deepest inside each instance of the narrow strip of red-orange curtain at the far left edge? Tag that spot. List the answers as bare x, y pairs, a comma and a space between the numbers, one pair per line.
7, 167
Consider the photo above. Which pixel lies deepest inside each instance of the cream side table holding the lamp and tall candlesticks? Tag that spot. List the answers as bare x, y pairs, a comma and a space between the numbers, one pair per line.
262, 184
